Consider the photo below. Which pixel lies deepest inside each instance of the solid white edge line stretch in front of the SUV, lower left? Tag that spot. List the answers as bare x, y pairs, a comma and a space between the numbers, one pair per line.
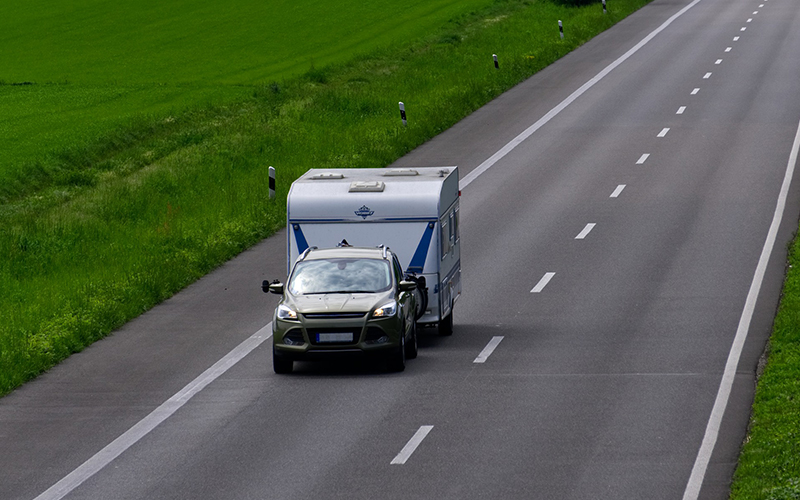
150, 422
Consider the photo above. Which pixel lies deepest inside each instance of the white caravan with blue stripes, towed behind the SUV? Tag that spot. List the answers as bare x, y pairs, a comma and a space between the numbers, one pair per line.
413, 211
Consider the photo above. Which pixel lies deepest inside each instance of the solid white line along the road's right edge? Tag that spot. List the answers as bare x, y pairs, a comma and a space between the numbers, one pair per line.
715, 420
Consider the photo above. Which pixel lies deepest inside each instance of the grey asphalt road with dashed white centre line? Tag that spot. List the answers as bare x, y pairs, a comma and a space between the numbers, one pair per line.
646, 201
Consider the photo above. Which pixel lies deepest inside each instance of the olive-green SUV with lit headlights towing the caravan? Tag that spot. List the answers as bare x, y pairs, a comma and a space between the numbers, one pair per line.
344, 300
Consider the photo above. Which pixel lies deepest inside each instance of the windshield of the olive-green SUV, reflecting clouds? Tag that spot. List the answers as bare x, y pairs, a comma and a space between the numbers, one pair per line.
340, 276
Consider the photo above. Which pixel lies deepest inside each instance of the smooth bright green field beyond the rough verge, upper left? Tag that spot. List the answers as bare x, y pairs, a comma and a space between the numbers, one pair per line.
72, 70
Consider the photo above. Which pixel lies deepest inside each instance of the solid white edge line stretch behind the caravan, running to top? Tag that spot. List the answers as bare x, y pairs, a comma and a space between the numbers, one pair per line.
488, 163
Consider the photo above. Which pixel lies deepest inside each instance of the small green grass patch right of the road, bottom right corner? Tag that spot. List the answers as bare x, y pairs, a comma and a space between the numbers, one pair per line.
769, 466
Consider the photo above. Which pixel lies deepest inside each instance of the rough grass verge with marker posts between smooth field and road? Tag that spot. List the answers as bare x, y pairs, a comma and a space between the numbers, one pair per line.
163, 201
